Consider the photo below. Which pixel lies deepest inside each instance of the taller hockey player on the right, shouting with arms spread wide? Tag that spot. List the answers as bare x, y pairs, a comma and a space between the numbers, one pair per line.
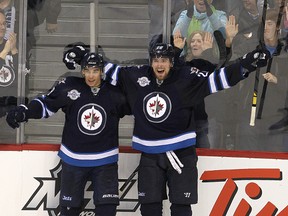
162, 99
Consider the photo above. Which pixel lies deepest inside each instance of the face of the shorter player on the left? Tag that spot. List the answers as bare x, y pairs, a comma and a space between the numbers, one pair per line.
92, 76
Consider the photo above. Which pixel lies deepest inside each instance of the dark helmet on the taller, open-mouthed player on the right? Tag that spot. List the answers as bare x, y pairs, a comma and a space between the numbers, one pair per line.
162, 50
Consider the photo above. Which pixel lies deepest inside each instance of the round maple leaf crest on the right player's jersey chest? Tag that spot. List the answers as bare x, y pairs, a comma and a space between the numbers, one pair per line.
157, 107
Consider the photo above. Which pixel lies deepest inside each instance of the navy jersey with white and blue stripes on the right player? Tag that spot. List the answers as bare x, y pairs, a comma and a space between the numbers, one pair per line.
163, 111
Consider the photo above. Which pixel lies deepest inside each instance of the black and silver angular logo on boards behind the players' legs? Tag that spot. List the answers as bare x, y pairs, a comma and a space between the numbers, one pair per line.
47, 194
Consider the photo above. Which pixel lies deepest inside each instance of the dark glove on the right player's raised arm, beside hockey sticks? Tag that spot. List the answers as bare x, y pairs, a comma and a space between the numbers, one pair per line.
254, 59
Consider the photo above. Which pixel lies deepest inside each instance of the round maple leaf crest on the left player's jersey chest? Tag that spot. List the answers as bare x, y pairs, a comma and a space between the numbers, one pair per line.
91, 119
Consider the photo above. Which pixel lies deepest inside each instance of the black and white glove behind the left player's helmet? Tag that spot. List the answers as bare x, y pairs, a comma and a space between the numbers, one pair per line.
73, 56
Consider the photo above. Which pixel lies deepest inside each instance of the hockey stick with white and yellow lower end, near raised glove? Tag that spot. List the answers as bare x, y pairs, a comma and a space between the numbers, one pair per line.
262, 47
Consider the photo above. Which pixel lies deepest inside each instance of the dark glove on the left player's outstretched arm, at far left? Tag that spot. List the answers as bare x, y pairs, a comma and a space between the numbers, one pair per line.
17, 115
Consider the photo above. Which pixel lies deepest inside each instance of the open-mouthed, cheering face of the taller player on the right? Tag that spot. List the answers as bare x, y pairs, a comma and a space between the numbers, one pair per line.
161, 67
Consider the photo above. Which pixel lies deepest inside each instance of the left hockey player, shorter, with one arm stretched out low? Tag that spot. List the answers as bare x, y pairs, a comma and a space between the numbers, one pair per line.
89, 147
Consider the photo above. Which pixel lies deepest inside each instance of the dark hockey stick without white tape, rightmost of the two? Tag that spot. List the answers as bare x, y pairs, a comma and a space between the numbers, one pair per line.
264, 89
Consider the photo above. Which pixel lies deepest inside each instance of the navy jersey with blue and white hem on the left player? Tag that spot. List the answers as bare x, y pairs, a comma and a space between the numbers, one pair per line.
90, 134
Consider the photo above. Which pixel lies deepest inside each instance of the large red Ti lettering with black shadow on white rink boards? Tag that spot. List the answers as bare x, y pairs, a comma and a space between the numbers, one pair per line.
252, 189
